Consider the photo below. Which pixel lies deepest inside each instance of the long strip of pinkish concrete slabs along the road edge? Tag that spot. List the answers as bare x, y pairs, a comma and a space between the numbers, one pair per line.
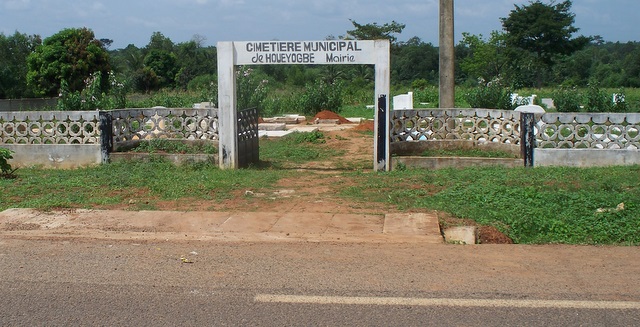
221, 226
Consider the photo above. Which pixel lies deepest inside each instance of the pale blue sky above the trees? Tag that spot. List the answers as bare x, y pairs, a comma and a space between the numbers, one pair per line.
134, 21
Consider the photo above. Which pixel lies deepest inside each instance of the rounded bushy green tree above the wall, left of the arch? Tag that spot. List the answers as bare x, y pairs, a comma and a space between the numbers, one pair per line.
71, 55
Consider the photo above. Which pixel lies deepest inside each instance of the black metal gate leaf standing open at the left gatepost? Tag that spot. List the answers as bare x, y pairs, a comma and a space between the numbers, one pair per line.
248, 139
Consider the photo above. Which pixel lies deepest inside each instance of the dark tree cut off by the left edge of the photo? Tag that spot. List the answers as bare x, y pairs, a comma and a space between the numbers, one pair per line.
14, 51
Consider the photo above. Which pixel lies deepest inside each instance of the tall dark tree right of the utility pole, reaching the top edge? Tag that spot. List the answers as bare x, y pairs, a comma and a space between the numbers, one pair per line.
541, 32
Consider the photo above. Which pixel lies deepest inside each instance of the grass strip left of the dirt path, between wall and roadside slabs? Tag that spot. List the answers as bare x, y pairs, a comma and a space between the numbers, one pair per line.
119, 182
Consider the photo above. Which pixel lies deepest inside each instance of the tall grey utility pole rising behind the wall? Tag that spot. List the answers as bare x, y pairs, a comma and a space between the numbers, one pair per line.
447, 55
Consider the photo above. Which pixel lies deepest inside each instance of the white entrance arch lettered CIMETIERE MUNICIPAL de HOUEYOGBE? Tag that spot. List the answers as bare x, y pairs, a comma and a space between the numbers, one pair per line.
328, 52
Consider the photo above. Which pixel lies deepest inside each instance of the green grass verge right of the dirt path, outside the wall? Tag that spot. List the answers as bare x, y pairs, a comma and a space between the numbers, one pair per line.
541, 205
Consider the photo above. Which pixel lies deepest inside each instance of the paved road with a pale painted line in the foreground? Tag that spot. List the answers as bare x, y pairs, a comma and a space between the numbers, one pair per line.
79, 281
